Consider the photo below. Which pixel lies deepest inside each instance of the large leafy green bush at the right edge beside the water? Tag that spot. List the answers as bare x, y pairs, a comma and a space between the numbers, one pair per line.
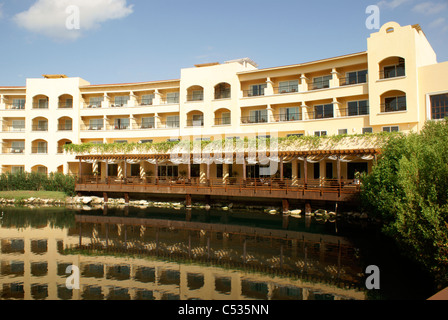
408, 190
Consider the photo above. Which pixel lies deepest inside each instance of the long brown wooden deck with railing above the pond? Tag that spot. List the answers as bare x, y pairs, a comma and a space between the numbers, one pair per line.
327, 190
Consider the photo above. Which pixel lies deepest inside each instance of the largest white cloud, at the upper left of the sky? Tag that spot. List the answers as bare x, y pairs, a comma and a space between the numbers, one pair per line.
49, 17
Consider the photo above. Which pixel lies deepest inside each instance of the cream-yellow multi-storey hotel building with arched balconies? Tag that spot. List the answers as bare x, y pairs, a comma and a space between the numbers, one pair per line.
395, 85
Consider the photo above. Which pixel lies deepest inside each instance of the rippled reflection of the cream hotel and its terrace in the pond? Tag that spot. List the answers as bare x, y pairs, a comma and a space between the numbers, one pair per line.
33, 264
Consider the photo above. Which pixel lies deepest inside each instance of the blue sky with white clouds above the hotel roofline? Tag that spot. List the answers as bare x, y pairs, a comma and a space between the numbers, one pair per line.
121, 41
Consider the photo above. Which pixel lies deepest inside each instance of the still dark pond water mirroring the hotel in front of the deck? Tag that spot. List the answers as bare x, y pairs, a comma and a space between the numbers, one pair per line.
163, 254
